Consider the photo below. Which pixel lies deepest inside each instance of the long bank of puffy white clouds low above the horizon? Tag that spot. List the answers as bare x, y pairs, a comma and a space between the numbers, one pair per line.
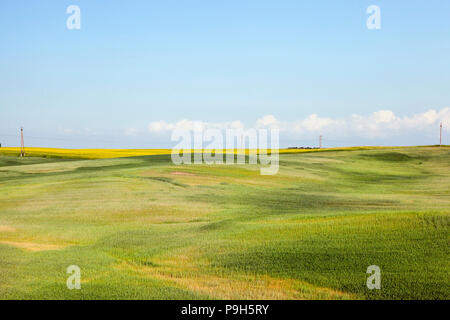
379, 124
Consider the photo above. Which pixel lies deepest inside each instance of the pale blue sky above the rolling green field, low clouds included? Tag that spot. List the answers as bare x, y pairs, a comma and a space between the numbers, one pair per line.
135, 63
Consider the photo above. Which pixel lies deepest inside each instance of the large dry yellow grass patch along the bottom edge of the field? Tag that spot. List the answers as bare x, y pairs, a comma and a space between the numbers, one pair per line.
185, 272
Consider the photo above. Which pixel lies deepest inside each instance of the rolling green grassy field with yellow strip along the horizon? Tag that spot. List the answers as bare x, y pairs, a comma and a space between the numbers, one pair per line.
142, 228
